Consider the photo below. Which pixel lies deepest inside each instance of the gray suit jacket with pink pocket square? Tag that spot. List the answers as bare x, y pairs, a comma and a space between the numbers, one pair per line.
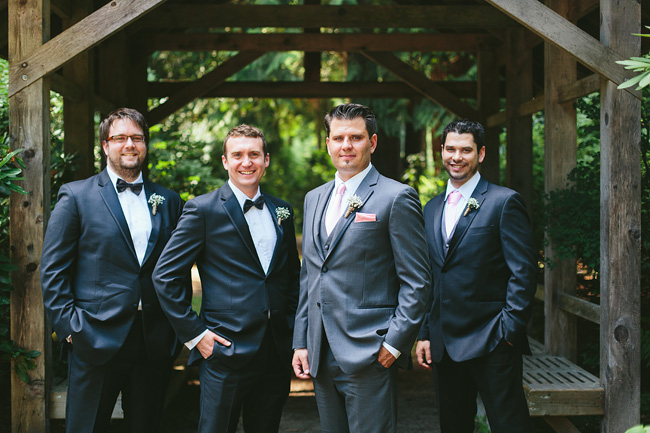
370, 282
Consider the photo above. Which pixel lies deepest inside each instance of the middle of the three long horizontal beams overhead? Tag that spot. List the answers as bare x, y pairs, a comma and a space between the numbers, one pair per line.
319, 42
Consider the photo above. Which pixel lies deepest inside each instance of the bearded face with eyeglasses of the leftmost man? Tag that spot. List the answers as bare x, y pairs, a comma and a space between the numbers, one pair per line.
125, 159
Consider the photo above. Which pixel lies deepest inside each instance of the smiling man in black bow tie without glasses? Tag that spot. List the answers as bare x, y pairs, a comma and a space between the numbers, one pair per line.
244, 245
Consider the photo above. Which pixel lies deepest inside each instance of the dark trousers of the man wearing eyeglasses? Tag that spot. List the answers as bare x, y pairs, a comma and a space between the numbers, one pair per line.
93, 390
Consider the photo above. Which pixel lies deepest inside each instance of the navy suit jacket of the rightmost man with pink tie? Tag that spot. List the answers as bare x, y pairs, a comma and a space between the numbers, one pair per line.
483, 288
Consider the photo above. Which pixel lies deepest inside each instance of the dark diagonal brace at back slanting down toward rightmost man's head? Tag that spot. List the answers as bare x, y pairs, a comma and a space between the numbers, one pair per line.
422, 84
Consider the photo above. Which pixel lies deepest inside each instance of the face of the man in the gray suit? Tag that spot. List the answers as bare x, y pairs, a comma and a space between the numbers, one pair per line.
349, 146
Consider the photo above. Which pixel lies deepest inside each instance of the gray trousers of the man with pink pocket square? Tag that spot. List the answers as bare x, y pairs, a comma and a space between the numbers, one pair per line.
365, 402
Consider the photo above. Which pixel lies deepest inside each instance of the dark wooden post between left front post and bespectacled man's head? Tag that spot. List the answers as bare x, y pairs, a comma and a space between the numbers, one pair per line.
78, 115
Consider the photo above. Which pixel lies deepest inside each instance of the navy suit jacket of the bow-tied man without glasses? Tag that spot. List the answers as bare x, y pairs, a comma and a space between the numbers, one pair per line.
237, 294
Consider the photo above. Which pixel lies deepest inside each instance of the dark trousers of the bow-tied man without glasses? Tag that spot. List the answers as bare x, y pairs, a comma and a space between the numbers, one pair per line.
257, 391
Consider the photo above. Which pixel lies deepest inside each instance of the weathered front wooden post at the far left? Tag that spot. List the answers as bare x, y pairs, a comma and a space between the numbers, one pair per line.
29, 125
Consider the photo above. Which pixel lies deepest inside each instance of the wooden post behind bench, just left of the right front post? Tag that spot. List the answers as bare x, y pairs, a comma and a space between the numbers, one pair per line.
560, 143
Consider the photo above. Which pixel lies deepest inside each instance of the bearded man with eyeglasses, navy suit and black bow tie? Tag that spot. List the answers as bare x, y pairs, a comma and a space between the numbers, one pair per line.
103, 240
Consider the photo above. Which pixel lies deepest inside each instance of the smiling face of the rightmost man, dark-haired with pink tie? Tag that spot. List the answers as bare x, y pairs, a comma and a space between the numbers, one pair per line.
461, 158
